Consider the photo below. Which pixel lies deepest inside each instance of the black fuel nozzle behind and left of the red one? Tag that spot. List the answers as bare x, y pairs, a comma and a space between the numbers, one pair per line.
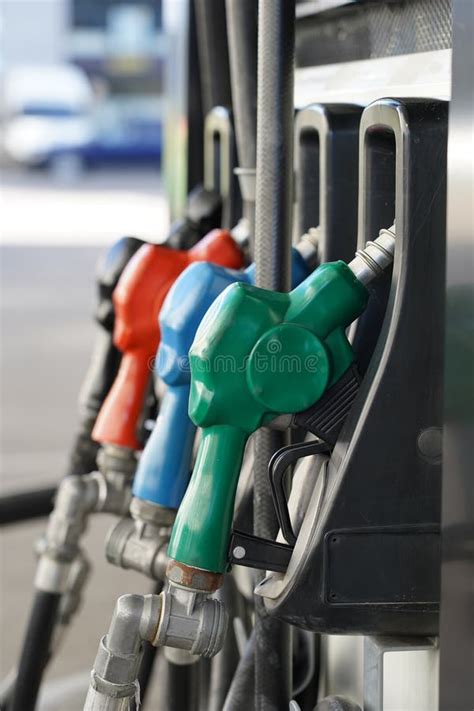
105, 358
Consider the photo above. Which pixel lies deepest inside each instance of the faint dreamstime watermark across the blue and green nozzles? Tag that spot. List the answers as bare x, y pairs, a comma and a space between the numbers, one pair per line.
273, 361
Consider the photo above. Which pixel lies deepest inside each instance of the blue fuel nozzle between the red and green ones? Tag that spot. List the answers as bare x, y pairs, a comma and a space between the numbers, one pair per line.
164, 468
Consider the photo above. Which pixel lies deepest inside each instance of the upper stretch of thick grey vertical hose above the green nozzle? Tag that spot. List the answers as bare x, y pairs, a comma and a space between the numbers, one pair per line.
274, 191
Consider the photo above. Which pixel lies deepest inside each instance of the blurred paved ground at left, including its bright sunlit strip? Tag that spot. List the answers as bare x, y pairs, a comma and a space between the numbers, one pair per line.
47, 297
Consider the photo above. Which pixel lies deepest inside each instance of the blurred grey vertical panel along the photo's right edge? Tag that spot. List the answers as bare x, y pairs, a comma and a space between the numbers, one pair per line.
457, 571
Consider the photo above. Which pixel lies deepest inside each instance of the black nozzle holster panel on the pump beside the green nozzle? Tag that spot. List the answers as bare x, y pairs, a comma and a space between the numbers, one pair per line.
367, 554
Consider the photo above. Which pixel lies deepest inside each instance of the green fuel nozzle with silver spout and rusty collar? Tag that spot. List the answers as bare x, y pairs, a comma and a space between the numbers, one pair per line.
259, 354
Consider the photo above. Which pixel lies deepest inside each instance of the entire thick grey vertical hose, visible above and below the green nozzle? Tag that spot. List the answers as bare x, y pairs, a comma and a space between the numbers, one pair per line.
274, 196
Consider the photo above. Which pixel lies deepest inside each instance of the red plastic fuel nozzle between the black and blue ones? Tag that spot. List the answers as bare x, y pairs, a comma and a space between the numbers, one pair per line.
137, 299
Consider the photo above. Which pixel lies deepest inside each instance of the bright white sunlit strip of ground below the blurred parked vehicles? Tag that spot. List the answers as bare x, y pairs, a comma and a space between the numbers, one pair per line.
91, 210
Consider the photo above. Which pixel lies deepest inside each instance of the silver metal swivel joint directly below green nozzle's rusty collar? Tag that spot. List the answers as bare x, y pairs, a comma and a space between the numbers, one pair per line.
191, 620
